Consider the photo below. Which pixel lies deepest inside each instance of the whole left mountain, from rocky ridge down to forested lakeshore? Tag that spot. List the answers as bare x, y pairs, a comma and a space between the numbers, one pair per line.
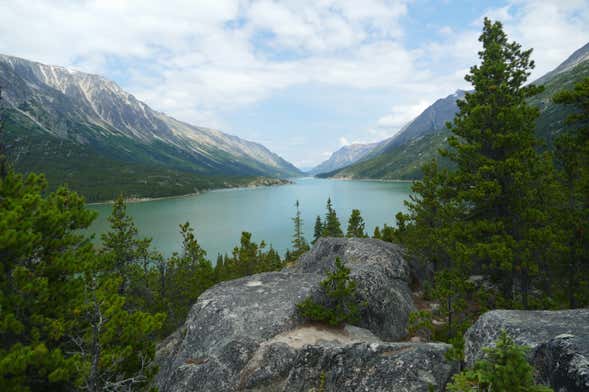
75, 125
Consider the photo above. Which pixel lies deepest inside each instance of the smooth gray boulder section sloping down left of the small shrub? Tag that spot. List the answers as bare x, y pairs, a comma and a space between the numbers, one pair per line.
225, 328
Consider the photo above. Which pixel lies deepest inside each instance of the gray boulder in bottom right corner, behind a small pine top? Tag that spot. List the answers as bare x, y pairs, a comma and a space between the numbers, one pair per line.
558, 342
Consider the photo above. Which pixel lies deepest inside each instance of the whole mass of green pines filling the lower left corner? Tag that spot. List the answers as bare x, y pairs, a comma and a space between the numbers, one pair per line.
65, 323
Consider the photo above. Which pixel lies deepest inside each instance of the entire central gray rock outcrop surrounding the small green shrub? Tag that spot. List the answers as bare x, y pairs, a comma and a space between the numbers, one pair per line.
246, 334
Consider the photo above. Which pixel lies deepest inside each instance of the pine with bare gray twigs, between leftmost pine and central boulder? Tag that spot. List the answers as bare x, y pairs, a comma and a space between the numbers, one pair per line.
117, 344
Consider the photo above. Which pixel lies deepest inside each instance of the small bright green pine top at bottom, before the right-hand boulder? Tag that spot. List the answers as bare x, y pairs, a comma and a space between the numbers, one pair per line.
504, 368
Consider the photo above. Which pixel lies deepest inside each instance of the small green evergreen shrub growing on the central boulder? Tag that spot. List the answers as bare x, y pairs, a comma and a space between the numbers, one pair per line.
339, 303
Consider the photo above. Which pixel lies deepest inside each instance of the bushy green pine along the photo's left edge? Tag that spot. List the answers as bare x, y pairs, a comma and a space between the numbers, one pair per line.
42, 253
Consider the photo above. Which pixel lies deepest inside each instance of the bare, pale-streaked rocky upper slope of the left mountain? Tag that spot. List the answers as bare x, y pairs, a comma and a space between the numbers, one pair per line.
95, 112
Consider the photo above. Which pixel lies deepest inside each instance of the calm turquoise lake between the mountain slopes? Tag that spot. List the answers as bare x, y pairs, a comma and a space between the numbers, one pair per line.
220, 216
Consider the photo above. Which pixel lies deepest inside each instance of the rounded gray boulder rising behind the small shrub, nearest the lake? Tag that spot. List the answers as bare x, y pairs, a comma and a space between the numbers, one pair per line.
382, 277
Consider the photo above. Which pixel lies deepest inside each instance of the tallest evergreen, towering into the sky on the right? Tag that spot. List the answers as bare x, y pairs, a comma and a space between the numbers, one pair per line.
492, 214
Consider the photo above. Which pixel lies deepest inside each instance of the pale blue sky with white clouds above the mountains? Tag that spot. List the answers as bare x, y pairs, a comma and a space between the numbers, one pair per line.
302, 77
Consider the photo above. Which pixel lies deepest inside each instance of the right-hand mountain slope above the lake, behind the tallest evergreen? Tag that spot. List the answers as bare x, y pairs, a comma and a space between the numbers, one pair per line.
402, 156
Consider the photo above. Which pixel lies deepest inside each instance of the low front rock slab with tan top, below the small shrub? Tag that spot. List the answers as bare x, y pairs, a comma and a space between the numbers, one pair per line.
346, 362
